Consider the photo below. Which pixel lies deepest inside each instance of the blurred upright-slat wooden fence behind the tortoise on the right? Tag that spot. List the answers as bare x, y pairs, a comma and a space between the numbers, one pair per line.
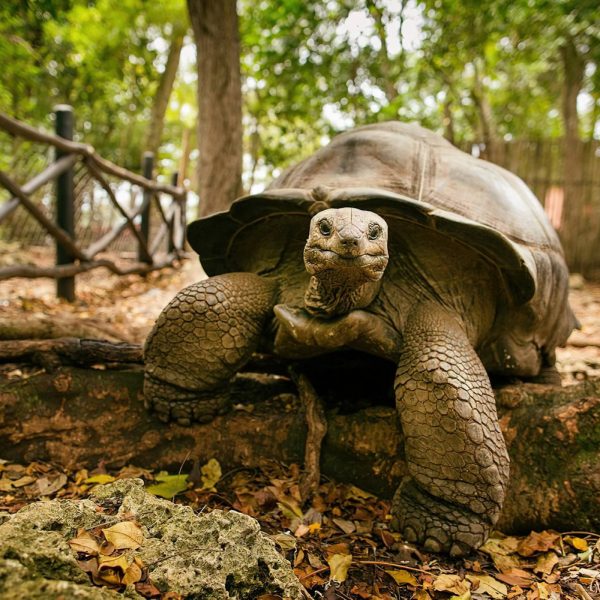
571, 200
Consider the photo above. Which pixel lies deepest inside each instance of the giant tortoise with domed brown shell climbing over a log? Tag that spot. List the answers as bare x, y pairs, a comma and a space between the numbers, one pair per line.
416, 252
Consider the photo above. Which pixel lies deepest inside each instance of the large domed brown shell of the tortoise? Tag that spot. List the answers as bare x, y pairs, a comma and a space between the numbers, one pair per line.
402, 172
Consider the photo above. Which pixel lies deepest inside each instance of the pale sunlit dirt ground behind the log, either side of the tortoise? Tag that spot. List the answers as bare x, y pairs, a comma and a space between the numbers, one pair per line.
127, 307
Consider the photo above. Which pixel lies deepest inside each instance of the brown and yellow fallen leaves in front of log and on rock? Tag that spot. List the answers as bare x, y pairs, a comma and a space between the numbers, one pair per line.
340, 544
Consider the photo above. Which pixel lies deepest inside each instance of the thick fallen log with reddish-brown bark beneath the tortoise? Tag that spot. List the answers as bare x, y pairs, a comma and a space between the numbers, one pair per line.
76, 417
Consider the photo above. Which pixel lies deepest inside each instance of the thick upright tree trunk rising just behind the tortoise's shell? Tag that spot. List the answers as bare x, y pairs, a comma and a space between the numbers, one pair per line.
215, 26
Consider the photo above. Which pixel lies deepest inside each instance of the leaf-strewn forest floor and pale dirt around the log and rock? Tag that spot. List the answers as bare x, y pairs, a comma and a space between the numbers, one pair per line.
341, 545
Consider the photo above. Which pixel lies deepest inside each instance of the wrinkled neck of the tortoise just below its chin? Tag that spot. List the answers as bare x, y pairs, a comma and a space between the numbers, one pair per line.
330, 296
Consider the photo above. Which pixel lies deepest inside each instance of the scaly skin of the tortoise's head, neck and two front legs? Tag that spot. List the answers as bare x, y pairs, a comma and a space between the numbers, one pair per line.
454, 448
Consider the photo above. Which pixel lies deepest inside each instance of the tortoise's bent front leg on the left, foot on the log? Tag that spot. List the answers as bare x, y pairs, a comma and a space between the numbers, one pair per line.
200, 340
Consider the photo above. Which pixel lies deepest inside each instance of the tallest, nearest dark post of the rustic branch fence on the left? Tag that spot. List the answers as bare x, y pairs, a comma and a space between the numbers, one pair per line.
65, 202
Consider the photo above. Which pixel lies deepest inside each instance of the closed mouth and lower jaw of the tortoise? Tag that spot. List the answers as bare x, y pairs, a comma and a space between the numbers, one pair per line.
370, 266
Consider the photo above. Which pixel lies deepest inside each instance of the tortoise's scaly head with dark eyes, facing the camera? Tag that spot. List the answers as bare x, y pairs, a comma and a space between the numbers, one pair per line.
349, 242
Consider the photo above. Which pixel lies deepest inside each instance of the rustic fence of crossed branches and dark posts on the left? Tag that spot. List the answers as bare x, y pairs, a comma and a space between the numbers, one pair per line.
63, 191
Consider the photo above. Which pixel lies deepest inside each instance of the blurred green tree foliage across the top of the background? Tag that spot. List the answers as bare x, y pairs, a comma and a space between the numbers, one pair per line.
473, 71
